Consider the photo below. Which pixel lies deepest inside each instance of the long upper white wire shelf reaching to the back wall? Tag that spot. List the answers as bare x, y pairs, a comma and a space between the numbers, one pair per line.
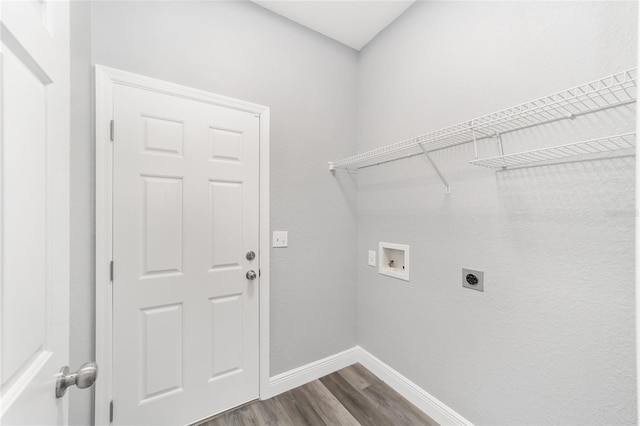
614, 90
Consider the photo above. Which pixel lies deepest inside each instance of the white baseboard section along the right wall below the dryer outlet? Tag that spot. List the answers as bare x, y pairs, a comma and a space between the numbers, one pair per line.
419, 397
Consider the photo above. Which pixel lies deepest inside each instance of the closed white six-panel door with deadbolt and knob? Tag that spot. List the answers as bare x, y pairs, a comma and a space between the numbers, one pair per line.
185, 214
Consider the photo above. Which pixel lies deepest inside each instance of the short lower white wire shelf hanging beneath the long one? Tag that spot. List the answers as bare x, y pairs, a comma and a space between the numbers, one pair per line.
592, 146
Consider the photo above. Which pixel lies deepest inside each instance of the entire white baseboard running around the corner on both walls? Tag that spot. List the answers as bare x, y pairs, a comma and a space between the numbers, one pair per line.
422, 399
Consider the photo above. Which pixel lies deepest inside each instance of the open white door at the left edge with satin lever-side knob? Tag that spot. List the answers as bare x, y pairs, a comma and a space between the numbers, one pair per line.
34, 210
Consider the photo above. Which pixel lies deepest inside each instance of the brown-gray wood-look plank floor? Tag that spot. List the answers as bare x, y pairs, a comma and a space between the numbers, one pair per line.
352, 396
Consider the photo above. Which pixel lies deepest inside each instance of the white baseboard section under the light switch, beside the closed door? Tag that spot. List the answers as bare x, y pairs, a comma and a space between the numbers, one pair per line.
307, 373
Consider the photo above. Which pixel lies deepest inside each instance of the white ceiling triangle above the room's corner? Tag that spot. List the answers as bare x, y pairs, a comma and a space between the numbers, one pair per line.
351, 22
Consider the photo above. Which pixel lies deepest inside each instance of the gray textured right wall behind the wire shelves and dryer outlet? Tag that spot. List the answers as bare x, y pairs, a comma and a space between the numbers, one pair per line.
551, 340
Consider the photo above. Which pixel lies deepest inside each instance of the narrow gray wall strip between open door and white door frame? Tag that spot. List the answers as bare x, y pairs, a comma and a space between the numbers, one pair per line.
82, 285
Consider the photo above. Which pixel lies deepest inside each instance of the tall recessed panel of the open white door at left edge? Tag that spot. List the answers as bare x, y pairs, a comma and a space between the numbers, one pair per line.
25, 238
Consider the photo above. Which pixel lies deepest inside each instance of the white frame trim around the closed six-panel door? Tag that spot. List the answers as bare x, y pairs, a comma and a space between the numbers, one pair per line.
105, 80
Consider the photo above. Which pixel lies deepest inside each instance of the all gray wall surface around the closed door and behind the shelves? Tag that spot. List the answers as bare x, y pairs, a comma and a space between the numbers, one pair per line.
551, 338
